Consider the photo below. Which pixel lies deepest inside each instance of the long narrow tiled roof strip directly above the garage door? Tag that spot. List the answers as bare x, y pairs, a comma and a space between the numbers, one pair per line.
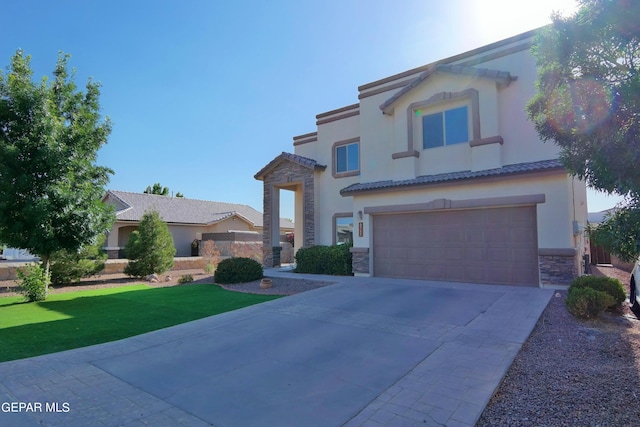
453, 176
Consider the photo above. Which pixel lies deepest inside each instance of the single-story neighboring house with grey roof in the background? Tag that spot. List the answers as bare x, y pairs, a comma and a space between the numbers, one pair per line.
187, 219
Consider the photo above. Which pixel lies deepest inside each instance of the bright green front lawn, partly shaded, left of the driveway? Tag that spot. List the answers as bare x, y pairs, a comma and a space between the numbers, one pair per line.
78, 319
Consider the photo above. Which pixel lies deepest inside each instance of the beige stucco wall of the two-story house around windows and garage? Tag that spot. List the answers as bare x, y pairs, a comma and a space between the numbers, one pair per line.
502, 113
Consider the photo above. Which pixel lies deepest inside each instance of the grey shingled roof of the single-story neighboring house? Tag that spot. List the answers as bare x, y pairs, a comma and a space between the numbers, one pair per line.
179, 210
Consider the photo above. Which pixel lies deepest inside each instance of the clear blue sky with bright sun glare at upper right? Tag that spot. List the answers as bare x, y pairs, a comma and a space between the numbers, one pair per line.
203, 93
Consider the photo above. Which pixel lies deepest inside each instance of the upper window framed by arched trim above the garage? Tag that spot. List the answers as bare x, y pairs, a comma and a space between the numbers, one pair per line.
445, 128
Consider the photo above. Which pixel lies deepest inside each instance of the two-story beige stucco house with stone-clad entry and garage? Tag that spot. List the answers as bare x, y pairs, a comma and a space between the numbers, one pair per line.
437, 174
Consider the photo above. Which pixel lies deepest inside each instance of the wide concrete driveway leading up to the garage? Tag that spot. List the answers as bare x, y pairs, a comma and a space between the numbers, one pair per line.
364, 351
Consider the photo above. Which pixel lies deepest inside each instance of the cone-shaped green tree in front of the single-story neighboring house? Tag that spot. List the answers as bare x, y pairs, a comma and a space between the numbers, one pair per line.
150, 248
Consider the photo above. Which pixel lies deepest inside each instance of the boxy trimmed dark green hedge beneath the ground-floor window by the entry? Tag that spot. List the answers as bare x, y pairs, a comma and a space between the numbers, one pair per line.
334, 260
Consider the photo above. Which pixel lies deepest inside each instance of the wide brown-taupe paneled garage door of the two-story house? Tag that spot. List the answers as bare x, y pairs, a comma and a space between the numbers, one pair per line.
496, 245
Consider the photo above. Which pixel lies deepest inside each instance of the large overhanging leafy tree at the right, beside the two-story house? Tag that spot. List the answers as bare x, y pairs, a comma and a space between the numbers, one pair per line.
588, 103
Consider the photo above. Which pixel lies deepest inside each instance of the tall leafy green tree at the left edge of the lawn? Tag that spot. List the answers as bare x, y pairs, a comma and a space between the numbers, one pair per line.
50, 185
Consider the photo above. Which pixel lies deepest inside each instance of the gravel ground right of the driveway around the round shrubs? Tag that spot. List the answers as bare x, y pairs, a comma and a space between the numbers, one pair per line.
573, 372
